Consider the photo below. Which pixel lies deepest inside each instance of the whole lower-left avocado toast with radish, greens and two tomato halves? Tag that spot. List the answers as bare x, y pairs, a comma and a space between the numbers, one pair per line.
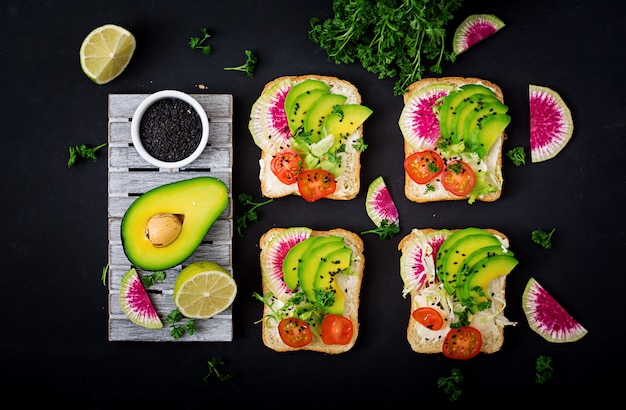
311, 289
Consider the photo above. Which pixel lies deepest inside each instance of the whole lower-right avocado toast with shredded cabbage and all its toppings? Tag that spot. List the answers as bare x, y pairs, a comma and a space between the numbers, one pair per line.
456, 281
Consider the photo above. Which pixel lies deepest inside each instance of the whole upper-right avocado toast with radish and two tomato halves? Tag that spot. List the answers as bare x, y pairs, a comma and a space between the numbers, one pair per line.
453, 130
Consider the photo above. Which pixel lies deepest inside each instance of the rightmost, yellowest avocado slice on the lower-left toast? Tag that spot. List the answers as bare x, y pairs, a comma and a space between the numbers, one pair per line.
333, 264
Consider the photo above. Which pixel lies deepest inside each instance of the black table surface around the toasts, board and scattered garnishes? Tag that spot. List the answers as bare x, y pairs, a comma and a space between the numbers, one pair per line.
54, 343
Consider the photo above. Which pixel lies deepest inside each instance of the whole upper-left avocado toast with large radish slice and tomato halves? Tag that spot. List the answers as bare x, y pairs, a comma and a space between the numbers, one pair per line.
310, 131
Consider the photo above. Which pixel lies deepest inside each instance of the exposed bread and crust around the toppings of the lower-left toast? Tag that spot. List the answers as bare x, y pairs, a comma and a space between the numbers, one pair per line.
350, 283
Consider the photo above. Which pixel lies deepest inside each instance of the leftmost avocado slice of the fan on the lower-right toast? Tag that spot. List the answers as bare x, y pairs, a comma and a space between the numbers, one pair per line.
457, 253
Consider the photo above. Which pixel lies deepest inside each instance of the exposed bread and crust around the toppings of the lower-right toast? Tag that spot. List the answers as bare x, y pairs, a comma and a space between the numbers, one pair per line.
423, 340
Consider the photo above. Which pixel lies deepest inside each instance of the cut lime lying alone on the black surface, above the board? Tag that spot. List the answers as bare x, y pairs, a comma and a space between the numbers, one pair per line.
106, 52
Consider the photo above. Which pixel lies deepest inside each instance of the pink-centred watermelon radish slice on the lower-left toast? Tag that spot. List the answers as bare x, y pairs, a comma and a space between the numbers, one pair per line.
273, 256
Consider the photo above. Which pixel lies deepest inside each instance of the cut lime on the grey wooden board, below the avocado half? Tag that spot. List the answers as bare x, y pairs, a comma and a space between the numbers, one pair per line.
204, 289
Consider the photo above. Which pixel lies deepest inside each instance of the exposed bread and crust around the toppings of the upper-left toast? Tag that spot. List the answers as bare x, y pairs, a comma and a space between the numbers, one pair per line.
348, 183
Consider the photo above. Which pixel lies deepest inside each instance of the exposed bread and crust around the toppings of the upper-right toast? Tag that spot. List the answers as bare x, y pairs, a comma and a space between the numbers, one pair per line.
492, 163
